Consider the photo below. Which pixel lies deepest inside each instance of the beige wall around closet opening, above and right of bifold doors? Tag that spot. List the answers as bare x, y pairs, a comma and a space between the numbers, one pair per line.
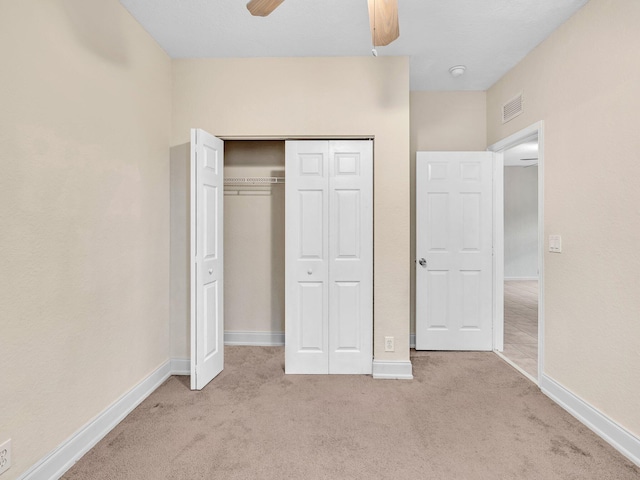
328, 97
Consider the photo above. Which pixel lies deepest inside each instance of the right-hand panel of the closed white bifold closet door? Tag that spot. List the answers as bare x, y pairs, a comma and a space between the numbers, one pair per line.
351, 257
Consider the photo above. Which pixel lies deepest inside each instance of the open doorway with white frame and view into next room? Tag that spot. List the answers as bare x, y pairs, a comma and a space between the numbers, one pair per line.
519, 319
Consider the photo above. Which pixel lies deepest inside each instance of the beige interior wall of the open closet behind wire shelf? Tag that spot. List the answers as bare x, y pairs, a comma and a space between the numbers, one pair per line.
254, 239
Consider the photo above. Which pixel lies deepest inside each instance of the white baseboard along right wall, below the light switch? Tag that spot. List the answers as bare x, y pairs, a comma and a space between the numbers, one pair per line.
619, 438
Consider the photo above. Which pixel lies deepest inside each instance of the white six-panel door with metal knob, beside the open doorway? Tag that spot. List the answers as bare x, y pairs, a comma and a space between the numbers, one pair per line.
454, 243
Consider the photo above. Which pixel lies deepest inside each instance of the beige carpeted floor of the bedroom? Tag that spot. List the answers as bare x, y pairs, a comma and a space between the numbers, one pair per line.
464, 416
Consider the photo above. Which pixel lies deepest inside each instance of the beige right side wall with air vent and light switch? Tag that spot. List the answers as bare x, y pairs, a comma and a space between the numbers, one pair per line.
583, 83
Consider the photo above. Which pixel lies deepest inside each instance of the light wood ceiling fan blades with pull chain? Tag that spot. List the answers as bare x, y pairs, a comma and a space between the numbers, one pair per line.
383, 18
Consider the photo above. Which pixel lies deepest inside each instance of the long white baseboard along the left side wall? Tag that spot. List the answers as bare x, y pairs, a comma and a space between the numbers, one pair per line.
62, 458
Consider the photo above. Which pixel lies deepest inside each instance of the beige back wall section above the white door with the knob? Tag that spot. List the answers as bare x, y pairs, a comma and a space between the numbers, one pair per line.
443, 121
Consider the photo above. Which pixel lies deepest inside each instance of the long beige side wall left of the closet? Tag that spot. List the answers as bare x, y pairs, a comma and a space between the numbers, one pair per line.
84, 138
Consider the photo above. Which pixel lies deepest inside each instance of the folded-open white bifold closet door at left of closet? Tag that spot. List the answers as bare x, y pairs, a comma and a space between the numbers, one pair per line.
207, 194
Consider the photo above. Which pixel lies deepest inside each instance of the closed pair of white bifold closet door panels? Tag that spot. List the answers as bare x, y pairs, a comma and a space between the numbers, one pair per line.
329, 257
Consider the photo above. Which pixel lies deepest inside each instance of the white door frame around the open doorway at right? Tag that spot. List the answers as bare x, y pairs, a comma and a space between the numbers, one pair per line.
498, 233
